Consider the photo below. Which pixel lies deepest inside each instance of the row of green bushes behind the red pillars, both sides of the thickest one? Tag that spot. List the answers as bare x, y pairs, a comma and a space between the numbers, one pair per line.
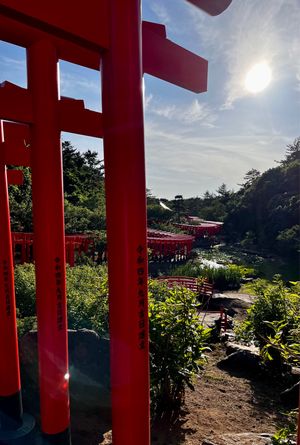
177, 339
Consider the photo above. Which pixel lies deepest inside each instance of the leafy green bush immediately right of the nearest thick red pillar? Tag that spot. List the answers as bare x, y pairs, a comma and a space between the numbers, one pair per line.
177, 344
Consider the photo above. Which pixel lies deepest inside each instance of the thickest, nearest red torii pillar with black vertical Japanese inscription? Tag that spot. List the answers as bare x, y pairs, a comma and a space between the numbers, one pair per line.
126, 223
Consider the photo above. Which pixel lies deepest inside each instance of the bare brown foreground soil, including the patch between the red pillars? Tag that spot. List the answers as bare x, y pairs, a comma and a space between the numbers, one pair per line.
222, 403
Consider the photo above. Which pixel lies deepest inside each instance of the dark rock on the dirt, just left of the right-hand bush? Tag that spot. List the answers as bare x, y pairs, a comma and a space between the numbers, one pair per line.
244, 361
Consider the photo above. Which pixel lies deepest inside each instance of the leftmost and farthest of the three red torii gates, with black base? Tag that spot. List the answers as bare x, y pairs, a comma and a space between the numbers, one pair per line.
11, 410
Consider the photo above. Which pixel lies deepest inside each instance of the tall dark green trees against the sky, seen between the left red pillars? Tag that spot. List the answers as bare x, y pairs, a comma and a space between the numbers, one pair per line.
83, 189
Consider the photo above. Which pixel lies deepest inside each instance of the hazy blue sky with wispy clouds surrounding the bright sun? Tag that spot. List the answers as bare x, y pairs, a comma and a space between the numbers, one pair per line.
195, 142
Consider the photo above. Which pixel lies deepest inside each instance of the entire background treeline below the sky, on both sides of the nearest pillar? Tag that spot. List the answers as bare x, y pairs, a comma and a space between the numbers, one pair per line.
262, 215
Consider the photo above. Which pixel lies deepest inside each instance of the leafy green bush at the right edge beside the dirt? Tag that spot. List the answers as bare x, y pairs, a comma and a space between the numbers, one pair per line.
273, 320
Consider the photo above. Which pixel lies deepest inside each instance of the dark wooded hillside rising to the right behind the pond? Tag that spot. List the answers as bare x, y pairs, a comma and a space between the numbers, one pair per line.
262, 215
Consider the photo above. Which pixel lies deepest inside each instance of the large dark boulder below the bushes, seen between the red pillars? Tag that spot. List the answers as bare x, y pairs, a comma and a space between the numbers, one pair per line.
88, 368
